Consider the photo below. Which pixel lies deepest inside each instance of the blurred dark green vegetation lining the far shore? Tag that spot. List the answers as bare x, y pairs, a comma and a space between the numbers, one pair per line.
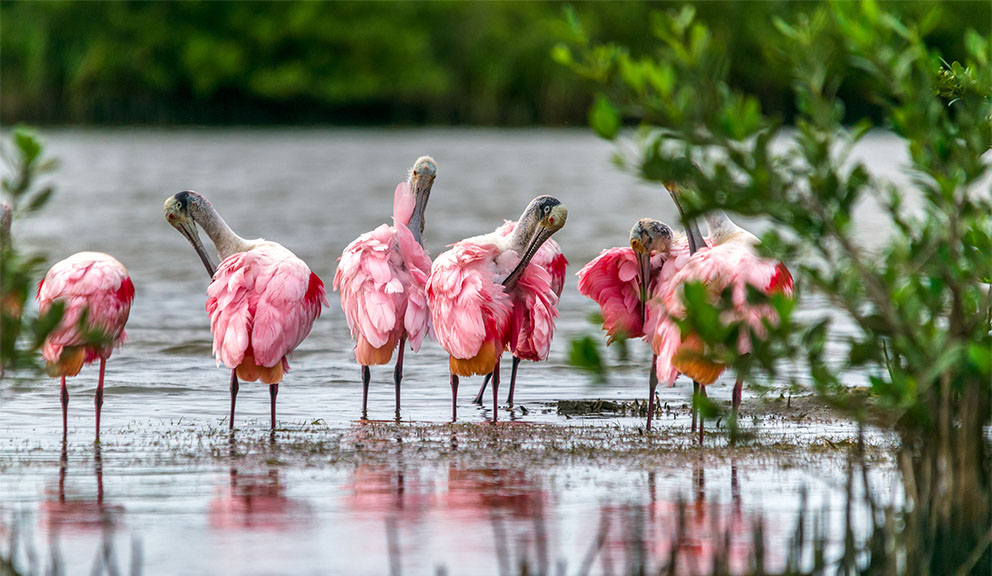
362, 63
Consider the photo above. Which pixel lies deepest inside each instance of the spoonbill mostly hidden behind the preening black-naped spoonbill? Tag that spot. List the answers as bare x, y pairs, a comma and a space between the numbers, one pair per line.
524, 344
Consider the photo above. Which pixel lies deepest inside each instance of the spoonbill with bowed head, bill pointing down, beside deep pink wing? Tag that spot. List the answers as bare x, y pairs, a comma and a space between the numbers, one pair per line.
624, 281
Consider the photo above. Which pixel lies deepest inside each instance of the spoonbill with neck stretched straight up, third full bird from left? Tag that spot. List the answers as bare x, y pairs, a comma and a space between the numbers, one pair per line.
383, 278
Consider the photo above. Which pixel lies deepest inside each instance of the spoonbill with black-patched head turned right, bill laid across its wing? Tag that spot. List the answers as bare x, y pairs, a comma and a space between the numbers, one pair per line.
474, 286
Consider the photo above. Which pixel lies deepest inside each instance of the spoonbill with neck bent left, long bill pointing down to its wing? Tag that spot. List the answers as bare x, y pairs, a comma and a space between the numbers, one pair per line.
262, 301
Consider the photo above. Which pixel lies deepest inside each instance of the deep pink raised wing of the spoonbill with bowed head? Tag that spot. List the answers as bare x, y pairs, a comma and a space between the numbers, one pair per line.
612, 280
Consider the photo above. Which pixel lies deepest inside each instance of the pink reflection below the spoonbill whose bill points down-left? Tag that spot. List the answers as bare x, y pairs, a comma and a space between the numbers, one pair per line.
255, 501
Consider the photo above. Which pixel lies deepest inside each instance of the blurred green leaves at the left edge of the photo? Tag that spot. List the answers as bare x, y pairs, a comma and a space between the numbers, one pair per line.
19, 272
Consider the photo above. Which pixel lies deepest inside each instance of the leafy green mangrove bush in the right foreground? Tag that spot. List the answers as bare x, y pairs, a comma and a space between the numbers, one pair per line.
919, 301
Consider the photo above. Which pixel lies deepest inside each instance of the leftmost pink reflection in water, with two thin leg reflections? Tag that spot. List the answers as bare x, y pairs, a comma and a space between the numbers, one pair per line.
60, 511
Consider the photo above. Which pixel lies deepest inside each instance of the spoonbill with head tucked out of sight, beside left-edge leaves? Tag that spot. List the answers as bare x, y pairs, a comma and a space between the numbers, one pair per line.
96, 293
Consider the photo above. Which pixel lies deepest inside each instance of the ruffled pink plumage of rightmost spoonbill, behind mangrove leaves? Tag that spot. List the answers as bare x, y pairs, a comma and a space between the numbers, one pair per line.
735, 265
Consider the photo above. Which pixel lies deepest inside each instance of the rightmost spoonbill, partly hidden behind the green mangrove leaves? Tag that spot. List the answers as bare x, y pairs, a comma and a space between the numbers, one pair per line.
730, 261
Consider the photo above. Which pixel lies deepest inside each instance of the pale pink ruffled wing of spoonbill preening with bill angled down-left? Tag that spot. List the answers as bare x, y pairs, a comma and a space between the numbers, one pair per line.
468, 304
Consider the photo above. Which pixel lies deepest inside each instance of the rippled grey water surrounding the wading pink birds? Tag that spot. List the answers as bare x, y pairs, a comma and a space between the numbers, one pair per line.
314, 191
